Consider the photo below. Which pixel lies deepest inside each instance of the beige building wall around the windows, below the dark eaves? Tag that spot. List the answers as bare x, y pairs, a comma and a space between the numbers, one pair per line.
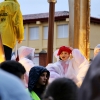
41, 44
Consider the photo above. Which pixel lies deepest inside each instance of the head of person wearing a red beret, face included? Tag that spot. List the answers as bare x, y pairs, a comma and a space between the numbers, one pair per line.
64, 52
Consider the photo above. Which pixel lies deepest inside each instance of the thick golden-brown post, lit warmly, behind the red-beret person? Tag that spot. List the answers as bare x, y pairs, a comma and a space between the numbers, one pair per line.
82, 26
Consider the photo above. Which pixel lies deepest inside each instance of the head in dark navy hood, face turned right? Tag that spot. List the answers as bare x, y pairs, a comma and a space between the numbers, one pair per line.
38, 77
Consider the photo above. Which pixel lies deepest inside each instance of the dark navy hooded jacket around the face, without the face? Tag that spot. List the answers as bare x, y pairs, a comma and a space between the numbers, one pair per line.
34, 75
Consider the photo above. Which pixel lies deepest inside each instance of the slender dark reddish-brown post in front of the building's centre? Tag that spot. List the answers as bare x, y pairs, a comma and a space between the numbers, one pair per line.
51, 30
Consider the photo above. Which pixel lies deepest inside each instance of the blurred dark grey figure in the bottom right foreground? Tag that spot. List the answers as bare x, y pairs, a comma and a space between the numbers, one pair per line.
90, 89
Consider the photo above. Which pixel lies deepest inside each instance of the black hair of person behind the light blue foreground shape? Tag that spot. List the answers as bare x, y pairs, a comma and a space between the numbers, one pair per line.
13, 67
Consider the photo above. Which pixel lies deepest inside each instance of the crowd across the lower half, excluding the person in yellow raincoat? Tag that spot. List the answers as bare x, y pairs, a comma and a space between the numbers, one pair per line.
56, 81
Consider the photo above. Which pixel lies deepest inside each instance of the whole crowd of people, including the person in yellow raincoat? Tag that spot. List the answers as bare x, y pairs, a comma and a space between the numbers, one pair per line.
72, 77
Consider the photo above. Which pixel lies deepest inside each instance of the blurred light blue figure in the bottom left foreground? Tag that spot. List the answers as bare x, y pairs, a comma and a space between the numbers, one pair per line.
11, 88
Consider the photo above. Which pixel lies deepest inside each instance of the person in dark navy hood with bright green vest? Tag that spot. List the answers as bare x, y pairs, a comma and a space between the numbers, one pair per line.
38, 80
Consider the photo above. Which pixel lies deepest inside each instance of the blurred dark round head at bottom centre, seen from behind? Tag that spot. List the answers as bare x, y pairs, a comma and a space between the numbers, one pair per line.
61, 89
